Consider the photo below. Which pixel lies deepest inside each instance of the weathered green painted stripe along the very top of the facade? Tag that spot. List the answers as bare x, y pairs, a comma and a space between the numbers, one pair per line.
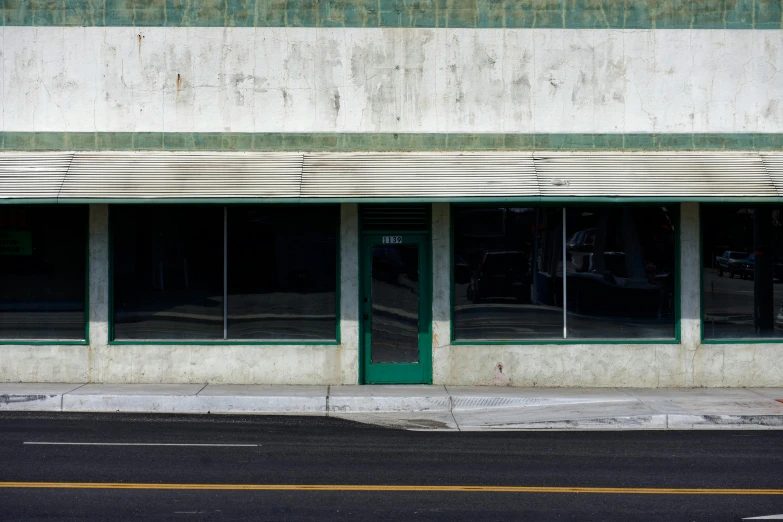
570, 14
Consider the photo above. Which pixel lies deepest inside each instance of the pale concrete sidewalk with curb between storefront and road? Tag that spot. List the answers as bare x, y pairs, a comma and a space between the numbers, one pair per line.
426, 407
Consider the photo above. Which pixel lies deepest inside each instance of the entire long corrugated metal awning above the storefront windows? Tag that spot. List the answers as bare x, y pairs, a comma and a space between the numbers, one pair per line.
366, 177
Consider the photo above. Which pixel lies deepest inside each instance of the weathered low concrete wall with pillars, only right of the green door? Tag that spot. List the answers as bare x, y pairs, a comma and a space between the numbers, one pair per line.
689, 363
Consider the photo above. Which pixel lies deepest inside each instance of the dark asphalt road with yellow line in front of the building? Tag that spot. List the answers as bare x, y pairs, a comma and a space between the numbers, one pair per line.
159, 476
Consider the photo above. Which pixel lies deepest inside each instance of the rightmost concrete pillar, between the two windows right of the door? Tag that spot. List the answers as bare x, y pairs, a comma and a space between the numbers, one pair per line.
690, 284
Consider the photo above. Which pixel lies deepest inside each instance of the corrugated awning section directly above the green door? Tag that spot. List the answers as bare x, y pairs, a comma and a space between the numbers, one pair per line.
418, 175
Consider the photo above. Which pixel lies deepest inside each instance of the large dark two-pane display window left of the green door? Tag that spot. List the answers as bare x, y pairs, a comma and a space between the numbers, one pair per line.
245, 273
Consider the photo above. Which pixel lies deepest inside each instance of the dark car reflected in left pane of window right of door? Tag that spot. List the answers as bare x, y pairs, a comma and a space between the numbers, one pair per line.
501, 274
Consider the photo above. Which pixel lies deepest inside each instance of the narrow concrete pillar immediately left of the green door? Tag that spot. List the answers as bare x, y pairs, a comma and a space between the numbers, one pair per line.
349, 293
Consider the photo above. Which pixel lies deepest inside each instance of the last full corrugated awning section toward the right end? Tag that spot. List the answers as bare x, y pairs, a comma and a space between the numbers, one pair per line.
668, 174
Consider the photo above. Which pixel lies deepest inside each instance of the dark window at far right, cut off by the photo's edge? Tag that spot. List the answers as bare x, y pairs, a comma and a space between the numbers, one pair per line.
742, 272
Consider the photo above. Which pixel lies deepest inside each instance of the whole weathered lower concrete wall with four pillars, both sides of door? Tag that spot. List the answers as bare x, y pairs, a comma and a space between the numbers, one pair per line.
689, 363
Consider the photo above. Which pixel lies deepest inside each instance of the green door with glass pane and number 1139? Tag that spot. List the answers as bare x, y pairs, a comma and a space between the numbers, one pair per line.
395, 308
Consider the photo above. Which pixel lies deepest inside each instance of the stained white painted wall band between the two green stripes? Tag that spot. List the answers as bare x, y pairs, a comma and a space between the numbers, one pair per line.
390, 80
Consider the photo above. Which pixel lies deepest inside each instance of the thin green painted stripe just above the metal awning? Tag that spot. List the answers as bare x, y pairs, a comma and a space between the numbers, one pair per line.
346, 142
